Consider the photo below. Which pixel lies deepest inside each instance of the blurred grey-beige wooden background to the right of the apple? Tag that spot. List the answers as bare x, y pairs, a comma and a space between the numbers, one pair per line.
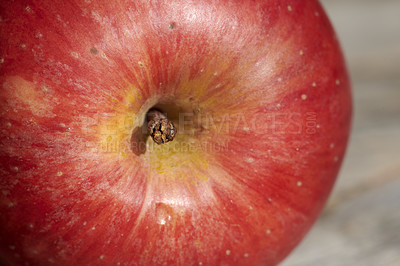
361, 223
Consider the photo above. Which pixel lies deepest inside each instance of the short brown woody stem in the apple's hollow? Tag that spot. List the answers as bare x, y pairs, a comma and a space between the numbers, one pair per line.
159, 127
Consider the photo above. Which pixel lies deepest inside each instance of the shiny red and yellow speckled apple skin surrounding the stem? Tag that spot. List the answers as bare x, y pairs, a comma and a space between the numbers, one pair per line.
266, 104
